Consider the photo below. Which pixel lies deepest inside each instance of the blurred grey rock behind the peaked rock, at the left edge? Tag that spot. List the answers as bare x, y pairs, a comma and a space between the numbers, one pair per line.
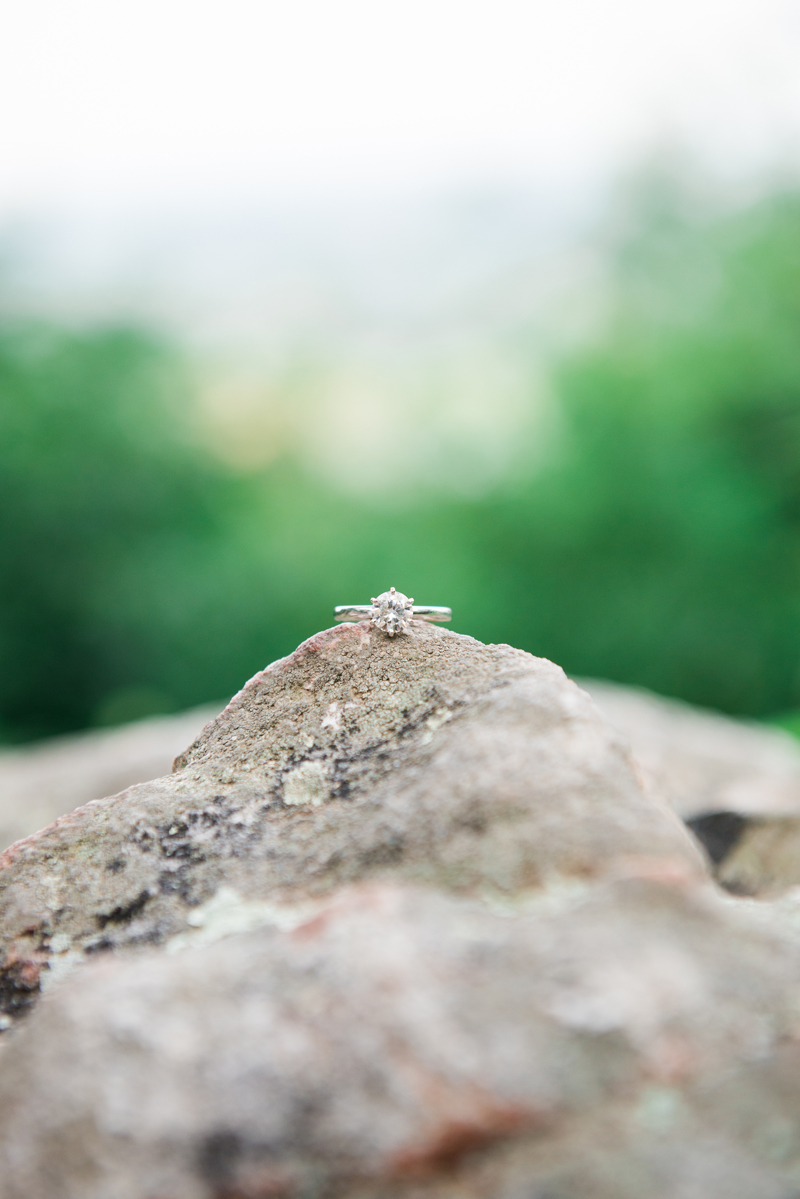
43, 782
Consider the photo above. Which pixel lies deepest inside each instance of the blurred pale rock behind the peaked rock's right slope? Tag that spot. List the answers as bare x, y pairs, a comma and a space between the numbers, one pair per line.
701, 762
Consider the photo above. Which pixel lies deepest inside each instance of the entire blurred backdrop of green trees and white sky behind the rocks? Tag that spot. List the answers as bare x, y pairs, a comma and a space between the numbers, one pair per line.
497, 303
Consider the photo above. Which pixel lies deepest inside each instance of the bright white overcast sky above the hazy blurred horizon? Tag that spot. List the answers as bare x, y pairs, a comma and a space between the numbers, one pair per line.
154, 101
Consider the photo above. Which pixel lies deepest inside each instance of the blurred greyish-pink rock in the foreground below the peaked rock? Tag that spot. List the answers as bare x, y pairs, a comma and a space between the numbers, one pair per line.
624, 1040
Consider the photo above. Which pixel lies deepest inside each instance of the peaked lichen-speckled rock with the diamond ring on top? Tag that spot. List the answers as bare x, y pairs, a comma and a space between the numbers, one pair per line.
431, 757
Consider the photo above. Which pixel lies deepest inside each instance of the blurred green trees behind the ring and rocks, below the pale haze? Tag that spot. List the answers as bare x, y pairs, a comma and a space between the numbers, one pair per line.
658, 544
